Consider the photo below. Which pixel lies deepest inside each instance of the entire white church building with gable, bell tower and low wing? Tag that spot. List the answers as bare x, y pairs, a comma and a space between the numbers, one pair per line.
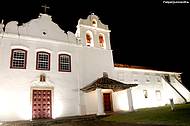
47, 73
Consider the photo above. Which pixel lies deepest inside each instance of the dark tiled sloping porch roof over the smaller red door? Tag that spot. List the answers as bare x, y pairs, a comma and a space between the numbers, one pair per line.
107, 83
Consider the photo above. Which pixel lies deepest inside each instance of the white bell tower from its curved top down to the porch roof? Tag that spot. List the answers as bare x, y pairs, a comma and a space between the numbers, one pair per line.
96, 54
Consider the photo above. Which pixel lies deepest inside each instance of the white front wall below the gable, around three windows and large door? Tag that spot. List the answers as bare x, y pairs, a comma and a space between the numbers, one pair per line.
17, 83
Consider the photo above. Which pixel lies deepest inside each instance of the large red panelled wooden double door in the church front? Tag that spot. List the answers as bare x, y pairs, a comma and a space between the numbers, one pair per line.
41, 104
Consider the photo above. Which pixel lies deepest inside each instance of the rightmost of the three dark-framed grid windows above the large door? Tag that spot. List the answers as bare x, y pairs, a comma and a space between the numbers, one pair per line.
64, 63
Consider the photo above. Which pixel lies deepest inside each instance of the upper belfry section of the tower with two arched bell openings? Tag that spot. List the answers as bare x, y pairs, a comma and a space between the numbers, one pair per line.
93, 33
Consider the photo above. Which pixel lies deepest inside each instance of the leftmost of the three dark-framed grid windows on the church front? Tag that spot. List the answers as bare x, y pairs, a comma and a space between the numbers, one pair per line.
18, 59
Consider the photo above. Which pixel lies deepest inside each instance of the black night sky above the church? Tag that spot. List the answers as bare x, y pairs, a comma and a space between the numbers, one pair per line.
143, 33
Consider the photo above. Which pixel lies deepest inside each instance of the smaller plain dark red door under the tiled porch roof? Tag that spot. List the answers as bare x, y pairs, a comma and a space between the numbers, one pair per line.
107, 102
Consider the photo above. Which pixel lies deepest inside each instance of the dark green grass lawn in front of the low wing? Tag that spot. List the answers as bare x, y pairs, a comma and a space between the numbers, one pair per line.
160, 115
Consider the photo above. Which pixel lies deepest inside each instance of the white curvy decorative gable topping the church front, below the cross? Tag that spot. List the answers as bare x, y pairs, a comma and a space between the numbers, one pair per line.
41, 27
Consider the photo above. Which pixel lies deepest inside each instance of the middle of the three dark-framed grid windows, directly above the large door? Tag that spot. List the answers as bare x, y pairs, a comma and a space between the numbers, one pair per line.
43, 61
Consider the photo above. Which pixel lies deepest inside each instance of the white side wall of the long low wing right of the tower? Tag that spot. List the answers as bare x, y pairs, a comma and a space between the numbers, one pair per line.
152, 82
